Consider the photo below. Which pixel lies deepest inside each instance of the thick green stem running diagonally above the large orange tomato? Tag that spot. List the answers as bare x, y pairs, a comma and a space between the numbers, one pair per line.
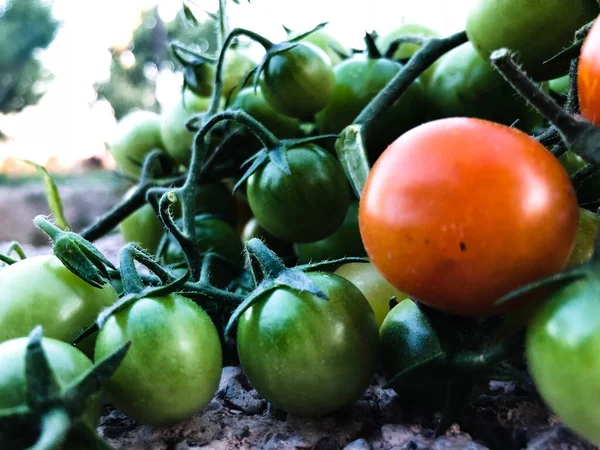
417, 64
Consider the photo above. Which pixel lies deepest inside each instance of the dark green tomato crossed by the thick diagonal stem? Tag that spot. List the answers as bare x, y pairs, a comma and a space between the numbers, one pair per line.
357, 81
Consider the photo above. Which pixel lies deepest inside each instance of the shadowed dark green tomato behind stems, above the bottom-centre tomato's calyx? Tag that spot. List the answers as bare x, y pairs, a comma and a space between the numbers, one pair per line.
213, 234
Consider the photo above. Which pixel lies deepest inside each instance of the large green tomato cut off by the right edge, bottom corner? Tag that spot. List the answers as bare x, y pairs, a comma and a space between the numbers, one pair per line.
563, 354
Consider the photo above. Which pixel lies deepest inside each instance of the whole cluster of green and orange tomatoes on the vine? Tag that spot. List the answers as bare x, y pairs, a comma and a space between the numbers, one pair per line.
465, 230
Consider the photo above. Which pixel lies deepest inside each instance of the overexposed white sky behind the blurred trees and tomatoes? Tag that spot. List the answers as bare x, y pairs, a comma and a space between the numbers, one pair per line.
67, 124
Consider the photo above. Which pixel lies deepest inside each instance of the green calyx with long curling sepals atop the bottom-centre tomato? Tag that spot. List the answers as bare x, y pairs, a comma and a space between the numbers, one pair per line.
269, 273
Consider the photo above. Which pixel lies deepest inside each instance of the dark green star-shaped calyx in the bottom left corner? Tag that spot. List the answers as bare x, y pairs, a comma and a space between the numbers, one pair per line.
57, 415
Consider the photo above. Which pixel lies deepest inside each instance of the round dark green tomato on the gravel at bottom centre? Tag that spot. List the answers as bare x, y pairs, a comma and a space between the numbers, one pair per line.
307, 355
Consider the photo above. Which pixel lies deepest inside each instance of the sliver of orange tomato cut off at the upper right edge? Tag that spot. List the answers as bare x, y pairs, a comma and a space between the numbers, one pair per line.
588, 76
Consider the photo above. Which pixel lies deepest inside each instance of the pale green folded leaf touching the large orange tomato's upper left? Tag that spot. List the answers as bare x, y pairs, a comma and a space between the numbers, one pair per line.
352, 154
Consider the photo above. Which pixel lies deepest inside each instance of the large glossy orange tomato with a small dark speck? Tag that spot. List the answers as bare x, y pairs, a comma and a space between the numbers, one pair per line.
478, 209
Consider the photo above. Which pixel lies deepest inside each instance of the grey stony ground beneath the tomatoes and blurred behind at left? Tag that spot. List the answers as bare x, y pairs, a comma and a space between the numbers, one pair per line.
508, 416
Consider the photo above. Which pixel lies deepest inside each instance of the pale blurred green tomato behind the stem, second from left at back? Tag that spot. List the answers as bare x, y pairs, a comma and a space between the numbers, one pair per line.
176, 137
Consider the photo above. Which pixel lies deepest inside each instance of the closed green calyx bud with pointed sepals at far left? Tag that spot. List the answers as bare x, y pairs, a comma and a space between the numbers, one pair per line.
76, 253
